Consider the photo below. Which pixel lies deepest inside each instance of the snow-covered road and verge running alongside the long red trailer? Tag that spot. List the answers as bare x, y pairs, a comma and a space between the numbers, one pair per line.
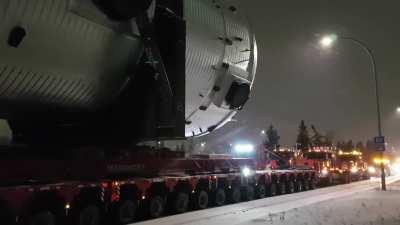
299, 208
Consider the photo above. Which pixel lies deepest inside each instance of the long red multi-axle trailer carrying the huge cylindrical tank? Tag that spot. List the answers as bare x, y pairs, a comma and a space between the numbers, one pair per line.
147, 184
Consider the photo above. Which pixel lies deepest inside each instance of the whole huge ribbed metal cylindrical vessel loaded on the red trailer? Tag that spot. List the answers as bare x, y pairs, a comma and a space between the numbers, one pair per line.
71, 65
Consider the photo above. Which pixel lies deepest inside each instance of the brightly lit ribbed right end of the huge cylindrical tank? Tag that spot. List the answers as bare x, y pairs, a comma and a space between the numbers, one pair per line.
221, 55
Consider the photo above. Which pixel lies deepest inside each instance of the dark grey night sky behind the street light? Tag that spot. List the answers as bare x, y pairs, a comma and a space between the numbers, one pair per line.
331, 89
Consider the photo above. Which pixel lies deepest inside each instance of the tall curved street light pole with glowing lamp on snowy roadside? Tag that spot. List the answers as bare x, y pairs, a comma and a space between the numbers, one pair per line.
327, 41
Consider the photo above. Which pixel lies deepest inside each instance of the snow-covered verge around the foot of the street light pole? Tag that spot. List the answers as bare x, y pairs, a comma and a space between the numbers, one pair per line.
373, 207
